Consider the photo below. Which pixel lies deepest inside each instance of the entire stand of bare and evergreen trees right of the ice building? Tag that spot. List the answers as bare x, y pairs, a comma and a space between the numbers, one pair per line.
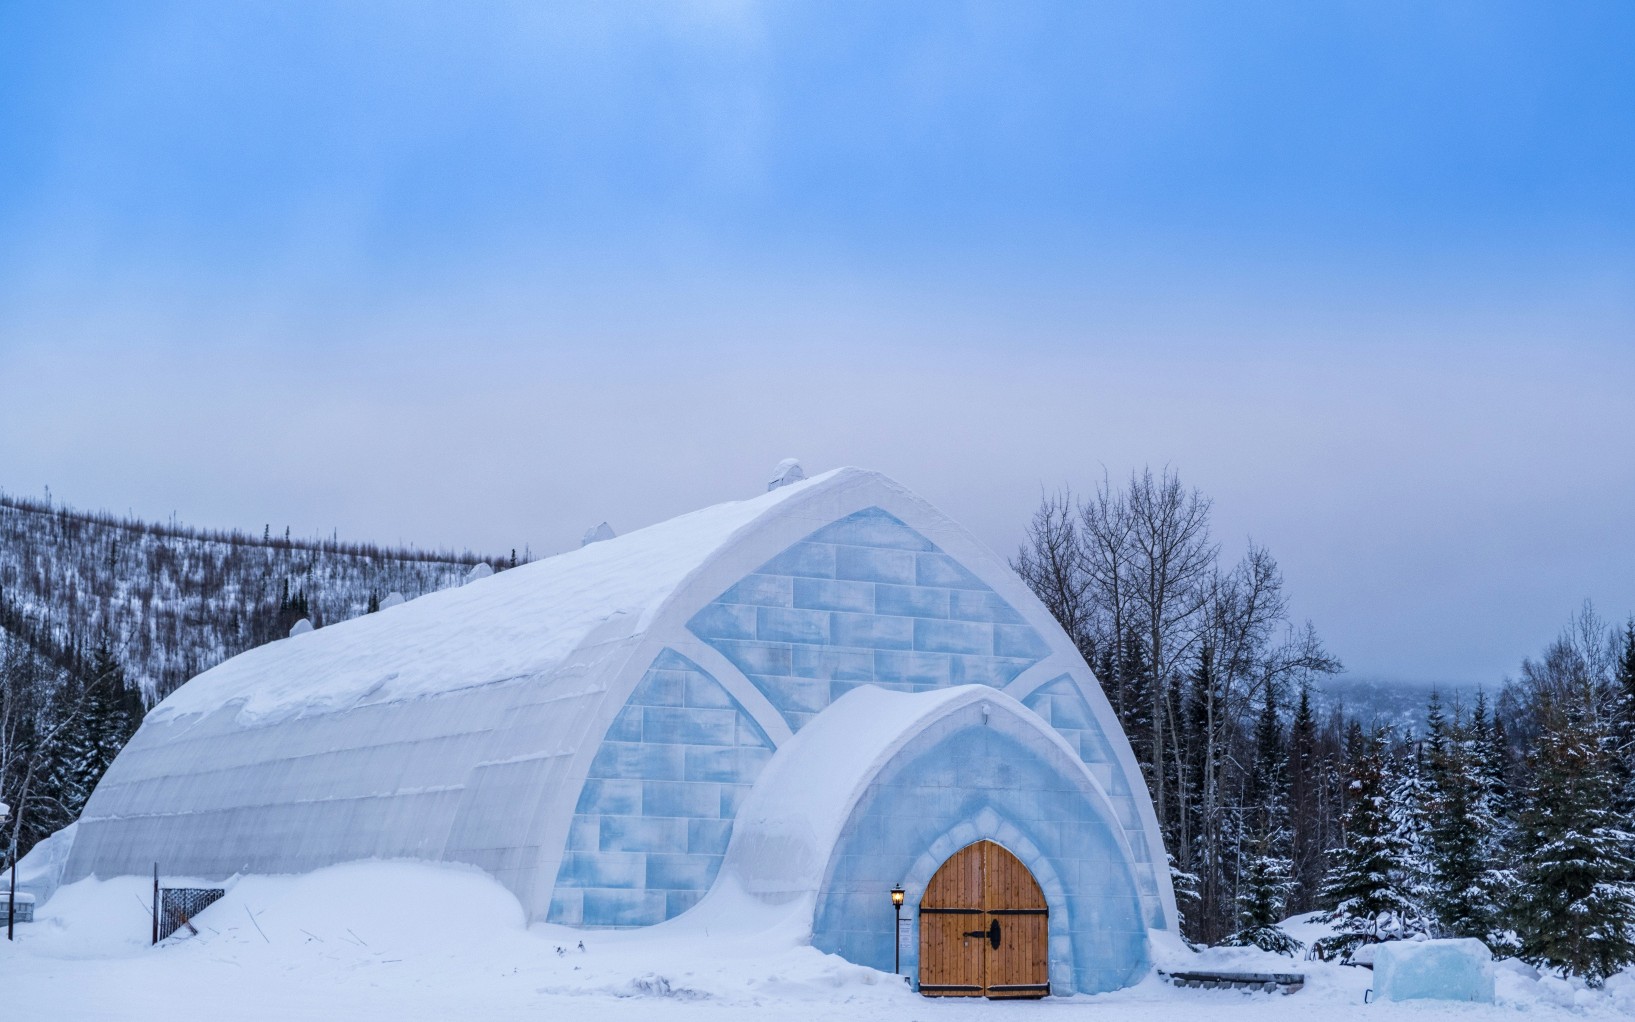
1510, 820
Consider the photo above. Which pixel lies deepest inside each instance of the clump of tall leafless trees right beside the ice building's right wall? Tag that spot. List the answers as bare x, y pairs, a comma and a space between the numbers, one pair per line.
1137, 581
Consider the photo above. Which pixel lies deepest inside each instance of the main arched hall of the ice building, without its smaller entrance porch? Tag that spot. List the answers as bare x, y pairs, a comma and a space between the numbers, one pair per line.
586, 727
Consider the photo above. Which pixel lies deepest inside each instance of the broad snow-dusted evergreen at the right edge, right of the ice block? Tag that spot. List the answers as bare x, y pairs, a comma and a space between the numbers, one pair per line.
1575, 908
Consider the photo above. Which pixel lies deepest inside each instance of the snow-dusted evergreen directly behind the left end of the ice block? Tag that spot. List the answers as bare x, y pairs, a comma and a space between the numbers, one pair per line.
1368, 884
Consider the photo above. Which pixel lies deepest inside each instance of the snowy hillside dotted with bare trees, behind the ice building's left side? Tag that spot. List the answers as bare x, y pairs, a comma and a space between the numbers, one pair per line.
174, 601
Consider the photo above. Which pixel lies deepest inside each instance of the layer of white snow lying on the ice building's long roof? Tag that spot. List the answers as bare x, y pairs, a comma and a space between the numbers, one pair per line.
521, 622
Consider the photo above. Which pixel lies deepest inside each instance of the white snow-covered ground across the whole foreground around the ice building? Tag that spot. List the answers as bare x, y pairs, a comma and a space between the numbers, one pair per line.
410, 941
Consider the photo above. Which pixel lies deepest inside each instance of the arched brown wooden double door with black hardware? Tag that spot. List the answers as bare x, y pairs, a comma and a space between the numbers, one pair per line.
985, 928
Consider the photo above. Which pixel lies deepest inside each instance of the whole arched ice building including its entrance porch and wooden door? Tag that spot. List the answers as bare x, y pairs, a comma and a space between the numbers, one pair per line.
792, 702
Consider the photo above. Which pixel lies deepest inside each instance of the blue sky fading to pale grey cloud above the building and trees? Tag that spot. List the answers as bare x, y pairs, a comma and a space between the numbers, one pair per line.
491, 274
